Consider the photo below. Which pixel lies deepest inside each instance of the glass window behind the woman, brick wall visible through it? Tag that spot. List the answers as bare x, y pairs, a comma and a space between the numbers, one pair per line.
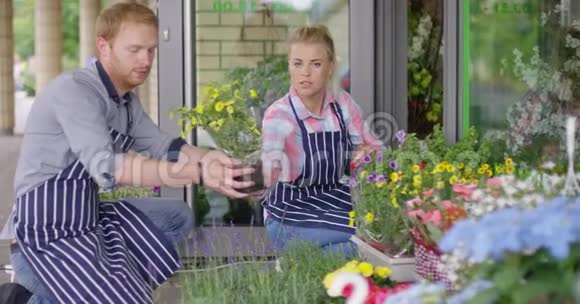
244, 42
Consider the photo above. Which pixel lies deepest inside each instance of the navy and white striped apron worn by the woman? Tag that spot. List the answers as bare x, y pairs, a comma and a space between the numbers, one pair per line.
316, 198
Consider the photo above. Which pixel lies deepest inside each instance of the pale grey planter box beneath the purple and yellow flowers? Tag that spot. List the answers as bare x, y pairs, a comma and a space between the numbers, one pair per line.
403, 268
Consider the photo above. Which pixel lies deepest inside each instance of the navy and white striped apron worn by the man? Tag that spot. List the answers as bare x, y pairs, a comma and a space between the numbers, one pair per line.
85, 251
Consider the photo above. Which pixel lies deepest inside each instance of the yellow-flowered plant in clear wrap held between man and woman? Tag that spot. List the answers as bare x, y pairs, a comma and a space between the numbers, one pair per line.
227, 114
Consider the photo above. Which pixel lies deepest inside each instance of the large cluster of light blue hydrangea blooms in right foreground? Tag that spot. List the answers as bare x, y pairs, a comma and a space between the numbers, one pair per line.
554, 226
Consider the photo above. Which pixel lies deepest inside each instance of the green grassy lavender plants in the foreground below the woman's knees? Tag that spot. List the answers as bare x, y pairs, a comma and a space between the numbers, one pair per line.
300, 281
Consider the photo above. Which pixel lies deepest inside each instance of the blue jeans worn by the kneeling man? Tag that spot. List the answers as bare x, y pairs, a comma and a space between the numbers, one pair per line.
174, 218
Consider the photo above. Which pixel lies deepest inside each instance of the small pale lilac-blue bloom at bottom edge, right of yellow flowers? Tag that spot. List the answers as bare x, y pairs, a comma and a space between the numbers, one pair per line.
419, 293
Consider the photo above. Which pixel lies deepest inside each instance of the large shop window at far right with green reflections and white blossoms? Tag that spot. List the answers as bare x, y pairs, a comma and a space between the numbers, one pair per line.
522, 74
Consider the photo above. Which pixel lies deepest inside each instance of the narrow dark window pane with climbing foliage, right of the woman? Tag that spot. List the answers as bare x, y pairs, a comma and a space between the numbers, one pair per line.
424, 66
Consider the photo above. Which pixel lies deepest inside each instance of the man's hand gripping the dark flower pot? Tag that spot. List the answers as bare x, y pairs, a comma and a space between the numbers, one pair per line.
218, 172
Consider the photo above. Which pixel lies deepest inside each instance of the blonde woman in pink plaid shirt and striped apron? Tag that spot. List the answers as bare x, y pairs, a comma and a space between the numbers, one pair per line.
308, 139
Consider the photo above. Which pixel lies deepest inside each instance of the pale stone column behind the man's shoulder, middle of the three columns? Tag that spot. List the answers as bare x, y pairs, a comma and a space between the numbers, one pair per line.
48, 41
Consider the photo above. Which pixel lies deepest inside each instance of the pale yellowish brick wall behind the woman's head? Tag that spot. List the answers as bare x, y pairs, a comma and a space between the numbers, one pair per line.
233, 39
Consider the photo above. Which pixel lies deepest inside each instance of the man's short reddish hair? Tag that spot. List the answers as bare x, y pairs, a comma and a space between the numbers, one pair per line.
110, 20
